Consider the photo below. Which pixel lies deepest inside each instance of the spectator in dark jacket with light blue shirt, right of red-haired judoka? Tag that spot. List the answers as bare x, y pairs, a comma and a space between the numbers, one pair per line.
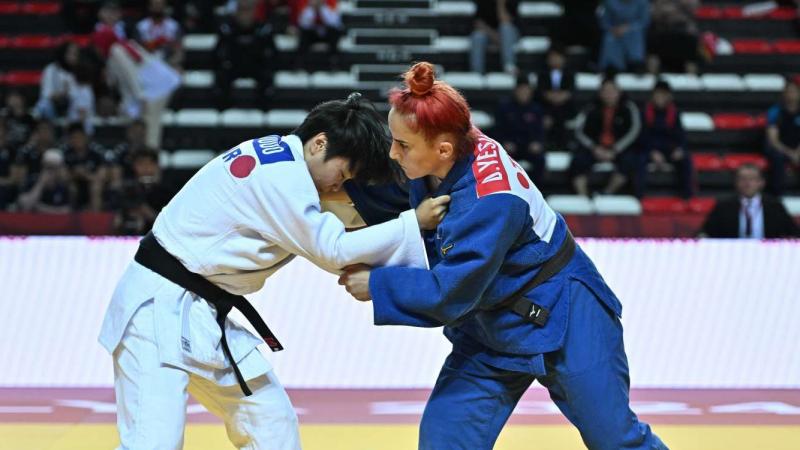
554, 87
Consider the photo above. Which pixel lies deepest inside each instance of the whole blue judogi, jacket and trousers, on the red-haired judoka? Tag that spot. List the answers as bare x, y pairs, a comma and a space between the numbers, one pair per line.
496, 236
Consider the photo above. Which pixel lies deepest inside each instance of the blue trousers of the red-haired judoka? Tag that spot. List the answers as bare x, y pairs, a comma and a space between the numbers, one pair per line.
587, 379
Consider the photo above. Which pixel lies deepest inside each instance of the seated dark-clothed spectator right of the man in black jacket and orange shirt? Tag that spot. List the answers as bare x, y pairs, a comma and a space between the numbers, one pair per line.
663, 142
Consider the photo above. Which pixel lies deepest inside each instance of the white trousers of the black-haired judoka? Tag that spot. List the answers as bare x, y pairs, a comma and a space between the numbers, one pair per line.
153, 375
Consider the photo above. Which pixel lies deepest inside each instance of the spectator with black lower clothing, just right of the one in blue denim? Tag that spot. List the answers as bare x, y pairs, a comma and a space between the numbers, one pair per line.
673, 37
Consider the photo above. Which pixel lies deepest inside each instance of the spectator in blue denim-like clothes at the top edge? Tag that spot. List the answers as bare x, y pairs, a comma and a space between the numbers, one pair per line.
624, 25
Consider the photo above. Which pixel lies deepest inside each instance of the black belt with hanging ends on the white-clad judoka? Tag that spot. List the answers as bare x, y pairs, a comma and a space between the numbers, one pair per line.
153, 256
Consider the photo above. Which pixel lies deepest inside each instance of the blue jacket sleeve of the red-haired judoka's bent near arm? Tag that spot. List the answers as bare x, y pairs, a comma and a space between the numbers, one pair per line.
478, 245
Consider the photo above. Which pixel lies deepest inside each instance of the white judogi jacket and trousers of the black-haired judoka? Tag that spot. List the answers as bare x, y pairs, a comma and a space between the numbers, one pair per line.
237, 221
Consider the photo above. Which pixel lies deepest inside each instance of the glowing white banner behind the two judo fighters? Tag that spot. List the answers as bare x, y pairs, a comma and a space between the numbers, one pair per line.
697, 314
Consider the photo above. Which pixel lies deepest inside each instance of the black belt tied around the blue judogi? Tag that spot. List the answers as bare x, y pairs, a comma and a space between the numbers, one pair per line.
529, 310
